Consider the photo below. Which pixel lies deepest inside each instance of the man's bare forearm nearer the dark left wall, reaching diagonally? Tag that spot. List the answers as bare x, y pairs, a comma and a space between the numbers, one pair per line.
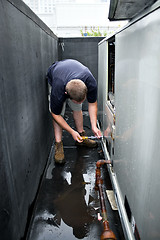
60, 120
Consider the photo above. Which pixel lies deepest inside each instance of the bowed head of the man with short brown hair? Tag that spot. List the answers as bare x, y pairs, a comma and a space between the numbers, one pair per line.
76, 89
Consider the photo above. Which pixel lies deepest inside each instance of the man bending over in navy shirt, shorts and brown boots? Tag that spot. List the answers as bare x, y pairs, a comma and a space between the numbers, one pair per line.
72, 82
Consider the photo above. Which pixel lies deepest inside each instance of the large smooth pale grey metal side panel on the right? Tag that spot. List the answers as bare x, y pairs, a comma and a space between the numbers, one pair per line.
137, 100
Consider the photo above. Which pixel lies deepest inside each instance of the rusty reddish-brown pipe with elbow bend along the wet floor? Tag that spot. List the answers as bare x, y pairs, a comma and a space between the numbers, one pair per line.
107, 233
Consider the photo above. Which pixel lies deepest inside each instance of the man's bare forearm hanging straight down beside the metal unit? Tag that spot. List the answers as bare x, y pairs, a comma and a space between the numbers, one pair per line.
92, 108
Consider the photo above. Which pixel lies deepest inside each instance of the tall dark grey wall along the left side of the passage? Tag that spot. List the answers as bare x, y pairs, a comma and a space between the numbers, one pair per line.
27, 48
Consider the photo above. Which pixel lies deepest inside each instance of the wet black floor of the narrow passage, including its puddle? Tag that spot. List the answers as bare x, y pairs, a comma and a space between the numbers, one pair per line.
68, 205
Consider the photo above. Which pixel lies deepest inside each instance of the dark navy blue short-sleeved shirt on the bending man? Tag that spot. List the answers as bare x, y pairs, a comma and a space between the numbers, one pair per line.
60, 73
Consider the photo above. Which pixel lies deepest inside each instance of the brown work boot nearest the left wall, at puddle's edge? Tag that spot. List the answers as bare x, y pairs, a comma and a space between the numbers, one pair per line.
59, 153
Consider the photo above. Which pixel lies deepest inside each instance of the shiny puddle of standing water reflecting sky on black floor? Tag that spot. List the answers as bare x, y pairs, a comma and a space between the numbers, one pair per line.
66, 208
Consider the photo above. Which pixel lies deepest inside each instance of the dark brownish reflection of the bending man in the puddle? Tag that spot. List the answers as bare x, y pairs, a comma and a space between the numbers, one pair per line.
72, 198
